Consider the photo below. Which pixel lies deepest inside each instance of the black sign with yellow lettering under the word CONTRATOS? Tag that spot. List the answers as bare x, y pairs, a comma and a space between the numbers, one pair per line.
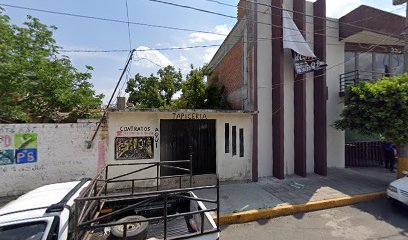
131, 148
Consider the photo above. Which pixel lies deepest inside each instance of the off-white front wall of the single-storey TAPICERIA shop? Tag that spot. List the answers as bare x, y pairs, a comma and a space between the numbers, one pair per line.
228, 167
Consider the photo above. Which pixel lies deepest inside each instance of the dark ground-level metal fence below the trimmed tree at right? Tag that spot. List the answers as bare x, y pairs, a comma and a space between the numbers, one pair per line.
364, 154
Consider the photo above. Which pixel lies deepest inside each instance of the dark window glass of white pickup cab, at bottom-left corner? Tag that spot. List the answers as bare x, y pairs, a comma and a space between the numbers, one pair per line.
26, 231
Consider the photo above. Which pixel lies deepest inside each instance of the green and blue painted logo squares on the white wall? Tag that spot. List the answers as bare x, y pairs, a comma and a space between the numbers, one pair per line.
24, 151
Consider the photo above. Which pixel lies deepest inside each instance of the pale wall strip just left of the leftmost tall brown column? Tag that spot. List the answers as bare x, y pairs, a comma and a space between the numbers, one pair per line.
264, 79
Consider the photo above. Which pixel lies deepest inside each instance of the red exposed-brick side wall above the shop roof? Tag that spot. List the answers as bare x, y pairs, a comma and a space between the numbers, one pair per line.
230, 74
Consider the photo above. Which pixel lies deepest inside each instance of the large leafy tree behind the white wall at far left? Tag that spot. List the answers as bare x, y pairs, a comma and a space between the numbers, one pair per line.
36, 84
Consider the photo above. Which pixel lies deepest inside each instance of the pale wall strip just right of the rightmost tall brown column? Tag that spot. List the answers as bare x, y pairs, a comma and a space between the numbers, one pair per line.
335, 61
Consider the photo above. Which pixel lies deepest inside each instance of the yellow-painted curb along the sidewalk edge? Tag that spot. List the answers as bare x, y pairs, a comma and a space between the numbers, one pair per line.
253, 215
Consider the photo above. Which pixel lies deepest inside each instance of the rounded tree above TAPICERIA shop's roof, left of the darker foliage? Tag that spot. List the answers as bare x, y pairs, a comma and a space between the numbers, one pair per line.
154, 92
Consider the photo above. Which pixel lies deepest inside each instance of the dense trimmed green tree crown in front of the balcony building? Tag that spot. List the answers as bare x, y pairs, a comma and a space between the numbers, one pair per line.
379, 108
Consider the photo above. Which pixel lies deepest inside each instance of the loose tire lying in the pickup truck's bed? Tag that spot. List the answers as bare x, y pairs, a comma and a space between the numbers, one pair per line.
135, 231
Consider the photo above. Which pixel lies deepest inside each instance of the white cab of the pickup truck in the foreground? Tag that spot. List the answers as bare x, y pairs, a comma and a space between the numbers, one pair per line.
41, 214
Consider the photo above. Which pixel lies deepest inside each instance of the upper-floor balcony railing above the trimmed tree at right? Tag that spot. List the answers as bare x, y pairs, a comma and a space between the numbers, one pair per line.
350, 78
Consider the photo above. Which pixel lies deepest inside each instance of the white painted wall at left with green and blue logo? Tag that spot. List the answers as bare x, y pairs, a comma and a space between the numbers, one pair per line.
39, 154
